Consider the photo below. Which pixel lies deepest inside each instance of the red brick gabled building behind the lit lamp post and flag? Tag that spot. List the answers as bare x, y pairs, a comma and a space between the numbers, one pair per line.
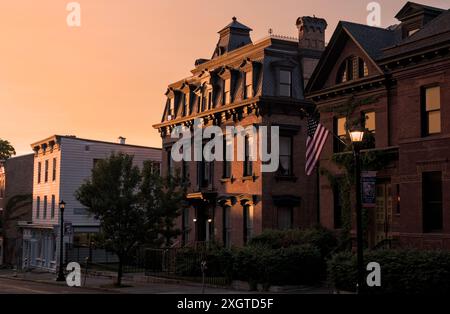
399, 80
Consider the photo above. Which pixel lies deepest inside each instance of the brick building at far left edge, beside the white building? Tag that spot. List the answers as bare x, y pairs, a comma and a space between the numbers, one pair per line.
16, 189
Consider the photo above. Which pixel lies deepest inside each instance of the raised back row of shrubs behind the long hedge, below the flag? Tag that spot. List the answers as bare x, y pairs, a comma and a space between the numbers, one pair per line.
319, 237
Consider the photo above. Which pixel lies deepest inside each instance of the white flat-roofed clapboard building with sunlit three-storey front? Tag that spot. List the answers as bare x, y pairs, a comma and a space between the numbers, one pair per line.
61, 165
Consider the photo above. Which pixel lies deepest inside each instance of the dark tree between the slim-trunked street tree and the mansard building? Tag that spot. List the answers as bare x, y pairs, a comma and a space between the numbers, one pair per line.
163, 200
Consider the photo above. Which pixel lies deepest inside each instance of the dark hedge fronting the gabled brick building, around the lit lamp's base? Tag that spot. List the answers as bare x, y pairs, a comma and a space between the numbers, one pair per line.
402, 272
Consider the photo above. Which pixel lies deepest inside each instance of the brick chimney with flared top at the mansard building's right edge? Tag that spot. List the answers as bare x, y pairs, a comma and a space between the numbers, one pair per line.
311, 36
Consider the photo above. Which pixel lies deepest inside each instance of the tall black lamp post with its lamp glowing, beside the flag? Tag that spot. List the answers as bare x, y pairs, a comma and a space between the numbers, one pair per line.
357, 136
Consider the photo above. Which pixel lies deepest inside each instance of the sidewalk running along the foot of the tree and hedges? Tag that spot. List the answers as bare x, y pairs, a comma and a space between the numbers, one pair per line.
139, 284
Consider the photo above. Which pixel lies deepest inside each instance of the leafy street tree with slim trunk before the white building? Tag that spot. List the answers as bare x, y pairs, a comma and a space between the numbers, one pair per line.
112, 196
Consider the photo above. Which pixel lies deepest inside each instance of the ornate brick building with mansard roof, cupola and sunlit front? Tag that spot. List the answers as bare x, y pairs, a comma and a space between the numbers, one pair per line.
246, 84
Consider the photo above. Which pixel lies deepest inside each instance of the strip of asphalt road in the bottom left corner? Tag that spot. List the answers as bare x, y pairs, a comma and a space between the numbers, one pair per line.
8, 286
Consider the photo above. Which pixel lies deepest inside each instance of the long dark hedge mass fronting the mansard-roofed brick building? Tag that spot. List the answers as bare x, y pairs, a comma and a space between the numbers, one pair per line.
293, 257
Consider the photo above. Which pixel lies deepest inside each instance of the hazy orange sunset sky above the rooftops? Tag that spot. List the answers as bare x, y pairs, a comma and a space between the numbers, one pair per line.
108, 77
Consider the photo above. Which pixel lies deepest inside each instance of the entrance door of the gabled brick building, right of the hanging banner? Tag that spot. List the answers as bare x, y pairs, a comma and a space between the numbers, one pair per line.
383, 220
